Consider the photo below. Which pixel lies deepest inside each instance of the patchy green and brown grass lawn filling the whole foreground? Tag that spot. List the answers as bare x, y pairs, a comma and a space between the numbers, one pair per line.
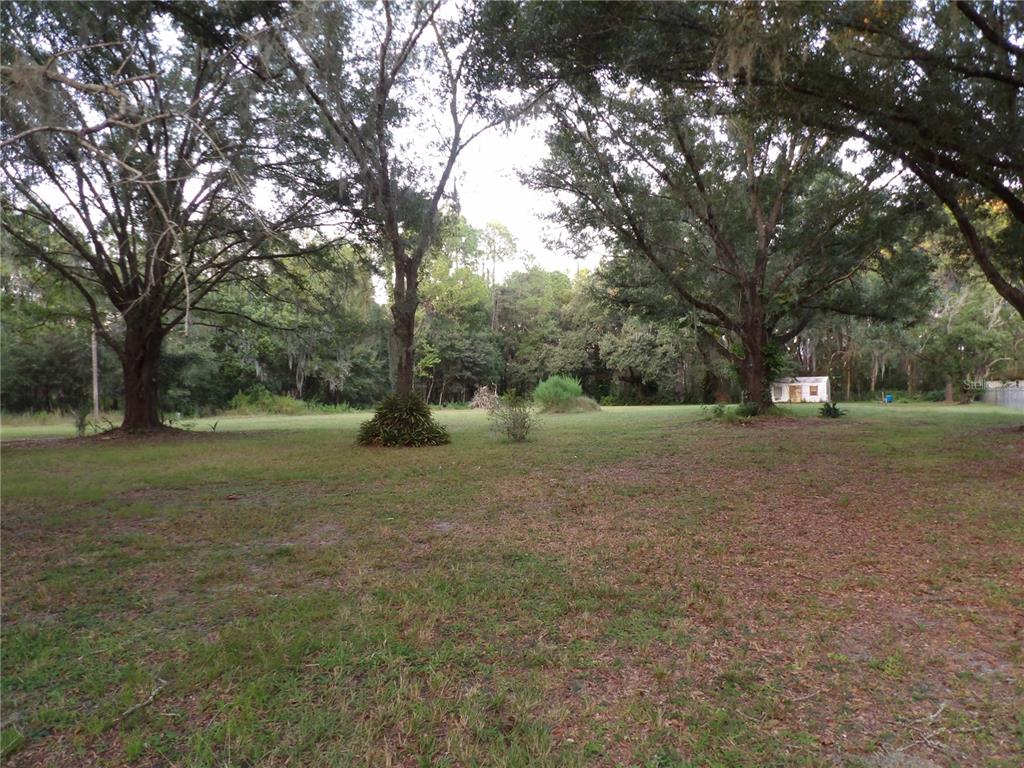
636, 587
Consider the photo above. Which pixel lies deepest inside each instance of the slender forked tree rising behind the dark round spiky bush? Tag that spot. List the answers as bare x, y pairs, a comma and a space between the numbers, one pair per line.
374, 75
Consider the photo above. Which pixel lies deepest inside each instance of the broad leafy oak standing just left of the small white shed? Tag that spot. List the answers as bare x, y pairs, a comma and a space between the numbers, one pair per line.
748, 228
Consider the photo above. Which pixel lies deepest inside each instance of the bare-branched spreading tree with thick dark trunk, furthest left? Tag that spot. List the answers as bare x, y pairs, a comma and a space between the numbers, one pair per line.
141, 155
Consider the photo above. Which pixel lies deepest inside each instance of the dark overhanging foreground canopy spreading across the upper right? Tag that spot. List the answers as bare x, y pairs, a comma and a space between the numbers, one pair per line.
935, 88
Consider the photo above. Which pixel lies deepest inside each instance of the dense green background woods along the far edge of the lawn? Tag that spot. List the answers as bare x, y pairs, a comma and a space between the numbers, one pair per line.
317, 334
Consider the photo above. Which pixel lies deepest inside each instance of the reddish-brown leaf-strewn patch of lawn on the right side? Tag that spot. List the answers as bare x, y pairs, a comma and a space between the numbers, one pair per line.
859, 592
